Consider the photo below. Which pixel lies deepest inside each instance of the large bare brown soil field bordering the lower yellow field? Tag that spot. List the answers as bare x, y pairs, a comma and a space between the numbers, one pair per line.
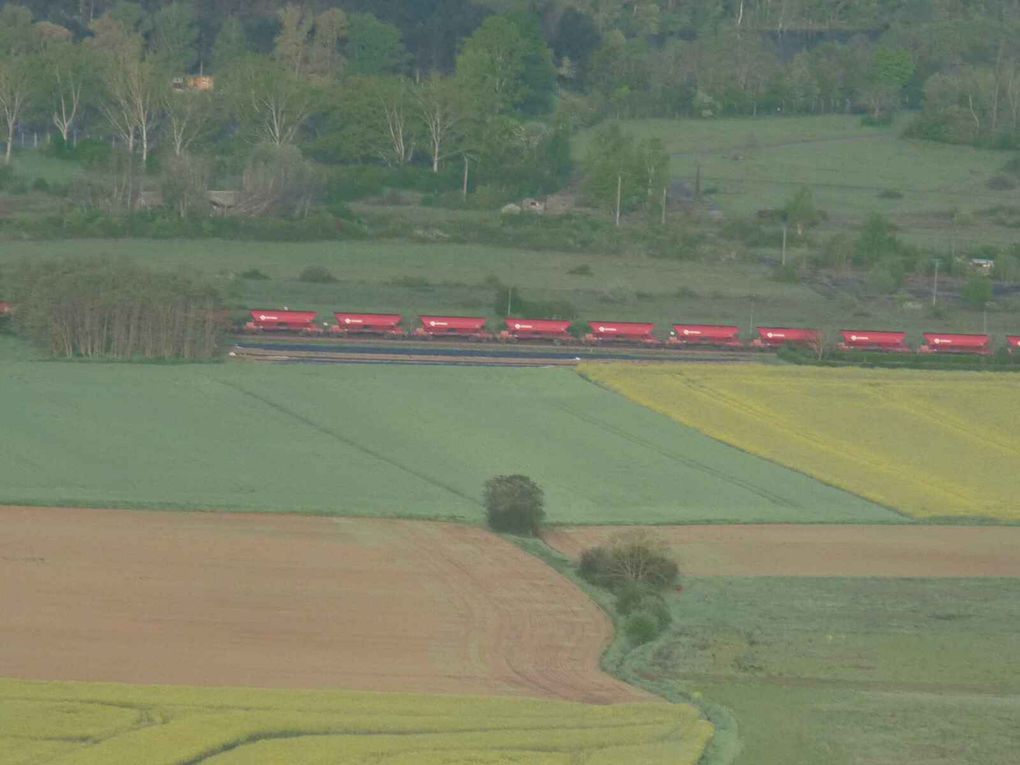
273, 601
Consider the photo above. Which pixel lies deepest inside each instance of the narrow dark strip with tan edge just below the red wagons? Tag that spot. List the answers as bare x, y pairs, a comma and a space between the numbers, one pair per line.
328, 351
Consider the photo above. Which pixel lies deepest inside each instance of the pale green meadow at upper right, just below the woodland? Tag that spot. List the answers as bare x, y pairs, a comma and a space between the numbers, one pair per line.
751, 165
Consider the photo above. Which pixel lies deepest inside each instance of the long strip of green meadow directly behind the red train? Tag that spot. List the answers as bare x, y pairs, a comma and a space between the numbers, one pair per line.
416, 279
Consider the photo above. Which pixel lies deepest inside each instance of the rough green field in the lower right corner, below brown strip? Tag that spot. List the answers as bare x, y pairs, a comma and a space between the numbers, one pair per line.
850, 672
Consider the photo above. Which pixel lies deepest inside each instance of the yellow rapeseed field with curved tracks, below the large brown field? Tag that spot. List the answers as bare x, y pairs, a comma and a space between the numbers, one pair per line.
109, 725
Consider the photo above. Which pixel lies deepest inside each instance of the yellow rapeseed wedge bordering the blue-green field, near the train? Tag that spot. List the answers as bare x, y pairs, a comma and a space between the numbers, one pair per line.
929, 444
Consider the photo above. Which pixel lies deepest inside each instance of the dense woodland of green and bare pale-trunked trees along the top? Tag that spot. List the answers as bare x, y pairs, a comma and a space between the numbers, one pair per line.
266, 95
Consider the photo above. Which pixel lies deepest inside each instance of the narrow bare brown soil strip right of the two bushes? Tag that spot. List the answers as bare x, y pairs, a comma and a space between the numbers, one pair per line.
909, 551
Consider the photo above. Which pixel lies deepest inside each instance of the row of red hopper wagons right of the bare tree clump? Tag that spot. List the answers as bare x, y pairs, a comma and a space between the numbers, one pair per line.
608, 333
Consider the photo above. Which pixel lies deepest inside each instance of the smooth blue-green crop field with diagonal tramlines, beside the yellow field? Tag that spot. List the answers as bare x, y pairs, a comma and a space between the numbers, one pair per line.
389, 441
